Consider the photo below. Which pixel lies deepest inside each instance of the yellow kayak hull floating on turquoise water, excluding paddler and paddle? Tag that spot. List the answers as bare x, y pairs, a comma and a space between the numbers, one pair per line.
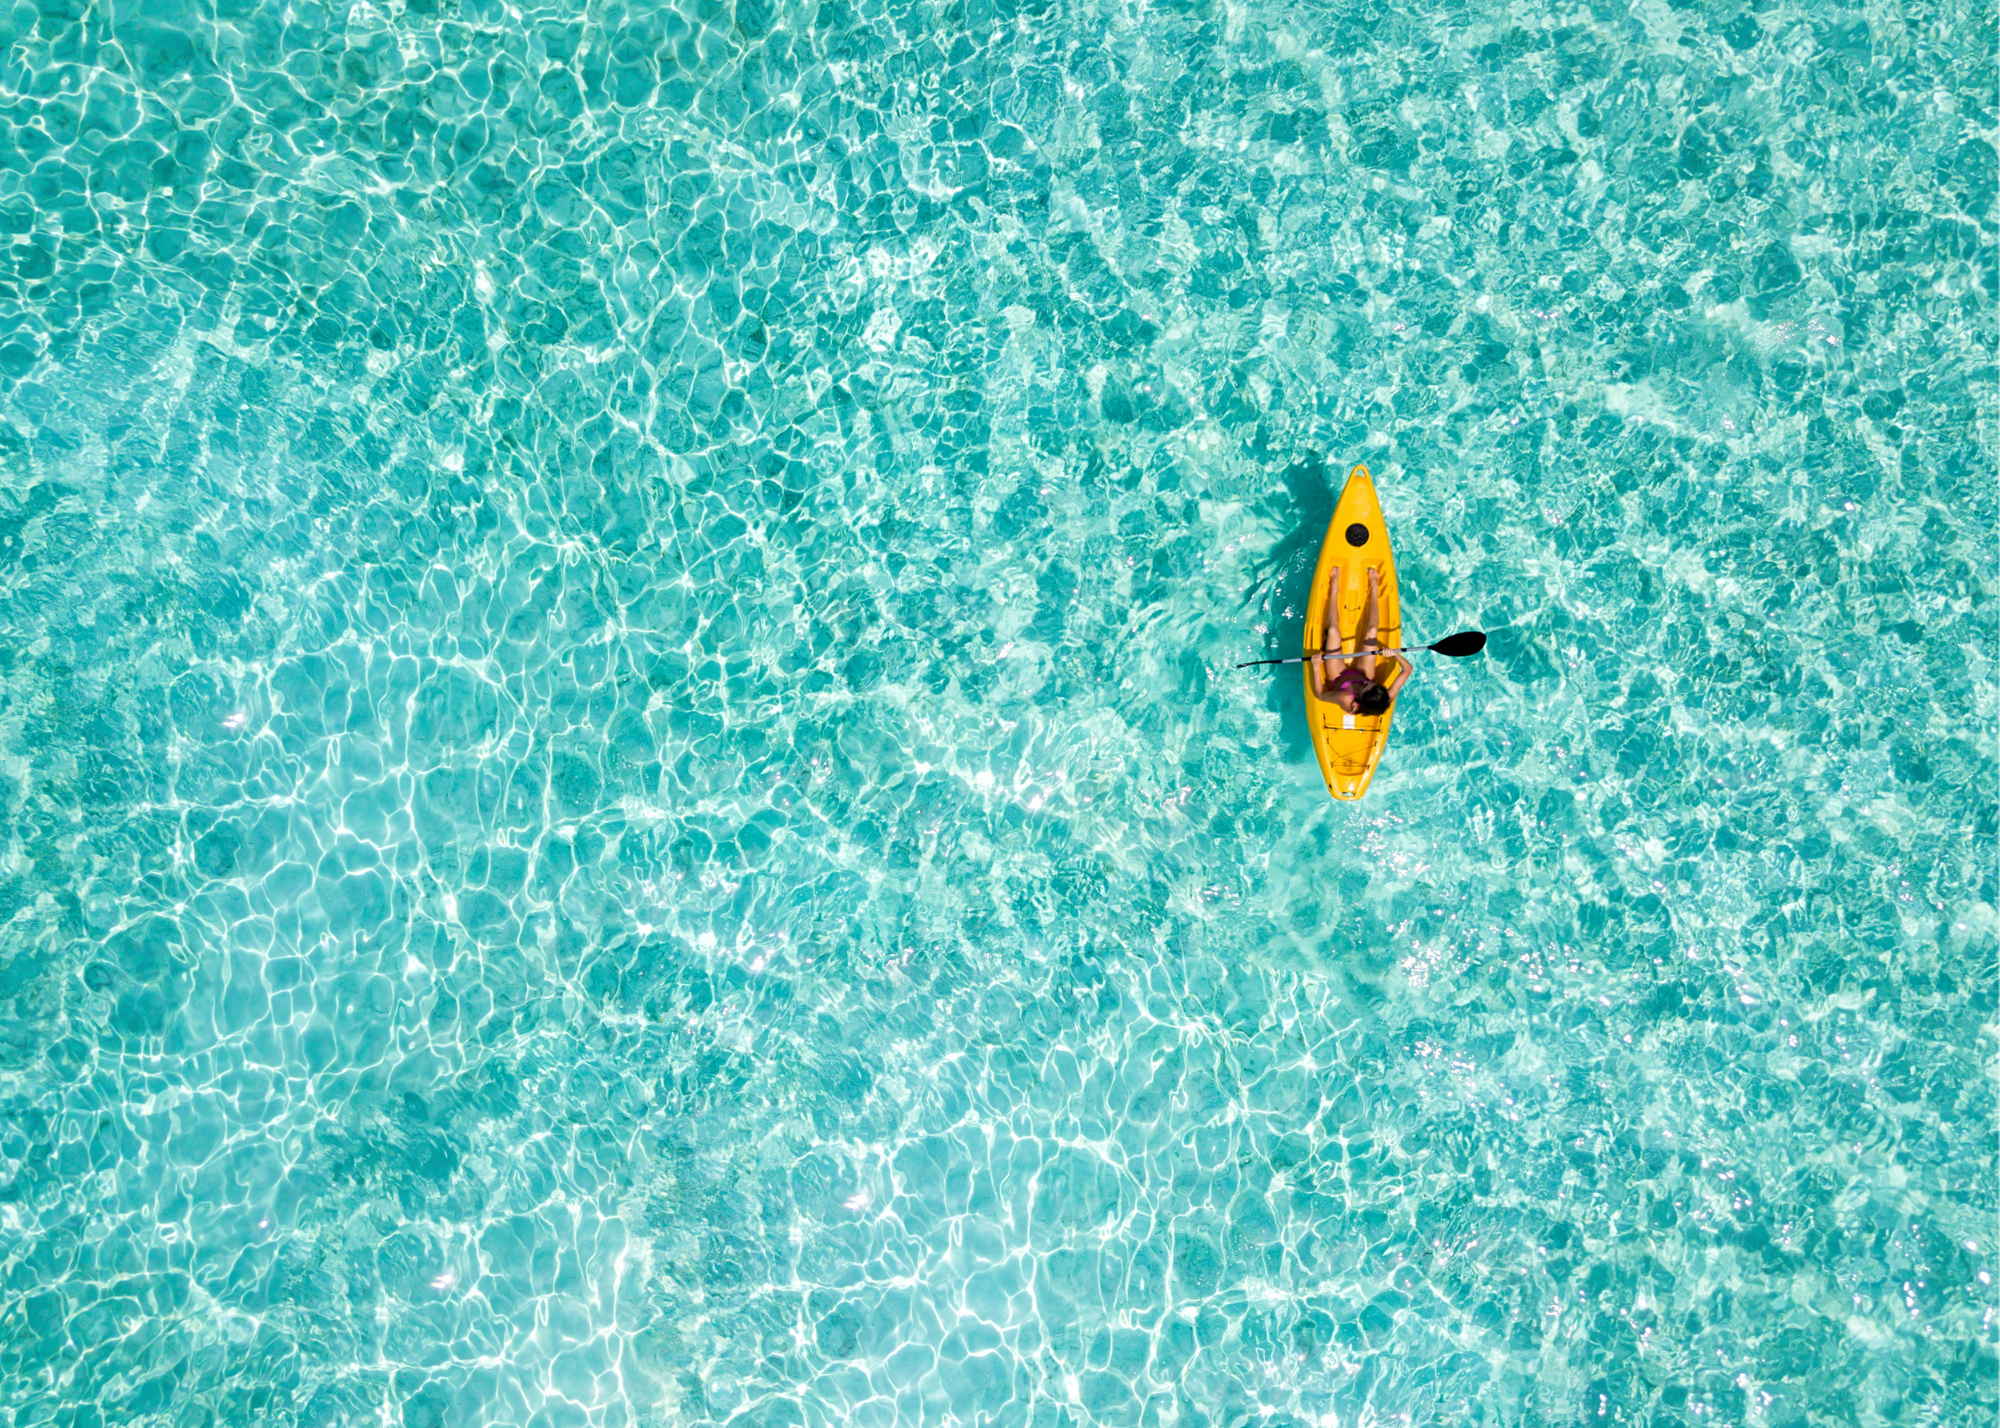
1357, 539
